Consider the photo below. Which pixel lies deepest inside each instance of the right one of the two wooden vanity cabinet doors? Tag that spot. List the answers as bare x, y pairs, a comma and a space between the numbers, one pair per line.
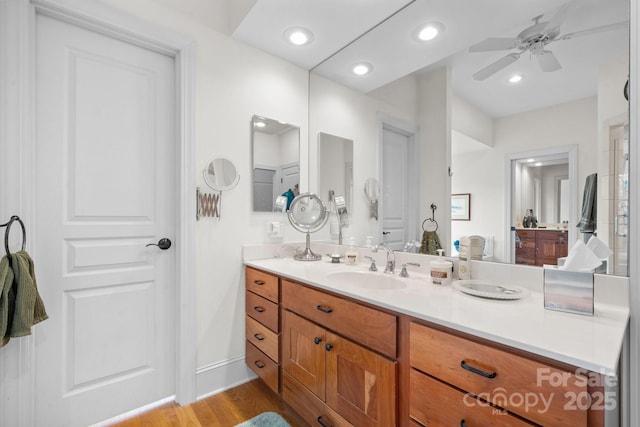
361, 385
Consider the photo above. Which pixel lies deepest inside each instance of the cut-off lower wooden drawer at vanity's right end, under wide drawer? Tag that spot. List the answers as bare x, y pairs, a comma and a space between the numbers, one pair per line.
433, 403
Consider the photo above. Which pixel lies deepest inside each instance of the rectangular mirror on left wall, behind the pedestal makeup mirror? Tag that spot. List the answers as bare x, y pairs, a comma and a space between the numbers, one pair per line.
276, 161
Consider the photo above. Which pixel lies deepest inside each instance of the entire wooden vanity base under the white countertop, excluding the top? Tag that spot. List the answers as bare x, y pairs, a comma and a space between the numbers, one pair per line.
340, 362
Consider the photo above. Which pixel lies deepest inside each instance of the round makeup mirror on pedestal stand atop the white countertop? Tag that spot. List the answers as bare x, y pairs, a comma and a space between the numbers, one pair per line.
307, 214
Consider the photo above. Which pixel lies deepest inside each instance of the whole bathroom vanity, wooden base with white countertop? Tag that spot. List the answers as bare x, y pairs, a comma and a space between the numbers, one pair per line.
409, 353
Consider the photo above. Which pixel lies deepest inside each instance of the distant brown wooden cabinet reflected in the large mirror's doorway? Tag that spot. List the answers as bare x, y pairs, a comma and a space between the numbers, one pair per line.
539, 246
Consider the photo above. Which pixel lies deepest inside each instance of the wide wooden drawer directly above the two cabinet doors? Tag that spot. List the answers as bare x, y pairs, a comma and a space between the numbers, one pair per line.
368, 326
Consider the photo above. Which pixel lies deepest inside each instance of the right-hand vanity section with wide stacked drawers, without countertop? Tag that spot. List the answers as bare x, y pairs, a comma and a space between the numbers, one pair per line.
454, 378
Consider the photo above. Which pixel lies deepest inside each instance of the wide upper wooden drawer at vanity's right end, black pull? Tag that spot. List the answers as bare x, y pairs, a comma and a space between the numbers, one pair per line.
523, 386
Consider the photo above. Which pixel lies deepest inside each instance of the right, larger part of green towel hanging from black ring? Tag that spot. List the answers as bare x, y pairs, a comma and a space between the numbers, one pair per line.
29, 308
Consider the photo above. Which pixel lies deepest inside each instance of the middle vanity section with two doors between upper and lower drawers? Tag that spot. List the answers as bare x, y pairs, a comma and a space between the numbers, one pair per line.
328, 378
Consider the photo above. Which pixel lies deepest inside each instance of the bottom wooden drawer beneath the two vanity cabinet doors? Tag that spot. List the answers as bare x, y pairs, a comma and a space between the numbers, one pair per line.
313, 410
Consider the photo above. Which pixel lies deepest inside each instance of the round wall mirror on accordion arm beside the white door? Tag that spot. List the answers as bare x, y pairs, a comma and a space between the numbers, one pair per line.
221, 175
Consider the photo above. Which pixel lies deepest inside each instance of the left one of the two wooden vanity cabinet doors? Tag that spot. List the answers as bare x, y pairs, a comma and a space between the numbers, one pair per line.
303, 352
